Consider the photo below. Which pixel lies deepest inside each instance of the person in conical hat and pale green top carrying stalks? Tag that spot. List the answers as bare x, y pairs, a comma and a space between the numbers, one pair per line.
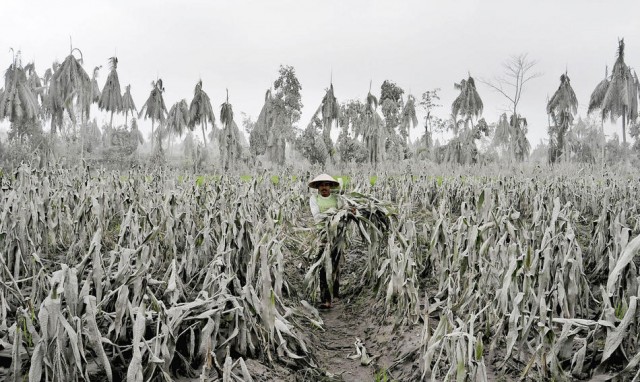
319, 204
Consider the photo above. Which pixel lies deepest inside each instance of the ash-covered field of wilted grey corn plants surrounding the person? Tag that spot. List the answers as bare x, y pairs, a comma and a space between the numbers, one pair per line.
161, 276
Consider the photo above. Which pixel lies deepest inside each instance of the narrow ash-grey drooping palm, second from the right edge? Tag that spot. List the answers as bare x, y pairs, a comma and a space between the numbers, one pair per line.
562, 107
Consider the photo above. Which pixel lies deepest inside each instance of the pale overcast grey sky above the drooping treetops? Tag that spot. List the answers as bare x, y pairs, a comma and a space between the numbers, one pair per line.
239, 45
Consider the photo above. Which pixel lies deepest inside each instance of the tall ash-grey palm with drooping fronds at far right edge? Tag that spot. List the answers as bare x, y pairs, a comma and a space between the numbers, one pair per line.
620, 99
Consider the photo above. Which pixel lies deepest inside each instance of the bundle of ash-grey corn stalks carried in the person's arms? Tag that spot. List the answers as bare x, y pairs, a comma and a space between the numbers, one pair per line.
389, 266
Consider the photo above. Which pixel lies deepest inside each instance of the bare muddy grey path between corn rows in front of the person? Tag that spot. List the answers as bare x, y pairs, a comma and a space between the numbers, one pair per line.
356, 317
